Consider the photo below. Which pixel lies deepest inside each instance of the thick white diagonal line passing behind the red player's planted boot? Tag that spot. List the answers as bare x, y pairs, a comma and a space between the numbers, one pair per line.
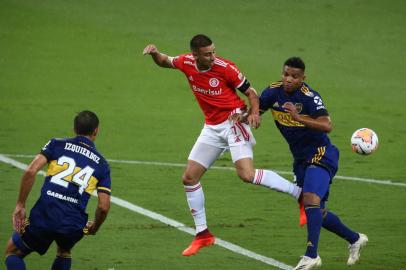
180, 226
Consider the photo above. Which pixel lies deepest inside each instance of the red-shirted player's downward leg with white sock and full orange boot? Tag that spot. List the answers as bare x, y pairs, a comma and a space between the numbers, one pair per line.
201, 158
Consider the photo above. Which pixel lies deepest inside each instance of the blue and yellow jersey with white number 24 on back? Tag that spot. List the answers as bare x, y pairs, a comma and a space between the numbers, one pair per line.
75, 170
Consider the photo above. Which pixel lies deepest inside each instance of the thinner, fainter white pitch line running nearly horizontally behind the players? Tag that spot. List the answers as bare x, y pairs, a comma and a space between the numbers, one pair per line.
169, 164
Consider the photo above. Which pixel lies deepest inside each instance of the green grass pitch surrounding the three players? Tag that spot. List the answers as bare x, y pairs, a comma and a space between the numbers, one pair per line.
60, 57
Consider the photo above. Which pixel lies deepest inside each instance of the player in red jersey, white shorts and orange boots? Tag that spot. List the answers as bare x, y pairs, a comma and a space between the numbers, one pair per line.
214, 81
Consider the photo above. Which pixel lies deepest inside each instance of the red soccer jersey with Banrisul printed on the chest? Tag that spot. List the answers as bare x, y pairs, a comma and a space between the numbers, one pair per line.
214, 89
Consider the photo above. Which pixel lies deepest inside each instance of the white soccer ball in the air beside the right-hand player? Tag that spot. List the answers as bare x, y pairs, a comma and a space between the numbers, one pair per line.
364, 141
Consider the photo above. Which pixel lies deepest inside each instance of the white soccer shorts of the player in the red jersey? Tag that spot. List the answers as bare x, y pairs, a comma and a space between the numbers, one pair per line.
216, 139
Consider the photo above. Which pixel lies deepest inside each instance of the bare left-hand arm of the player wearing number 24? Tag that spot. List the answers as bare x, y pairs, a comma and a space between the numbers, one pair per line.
27, 181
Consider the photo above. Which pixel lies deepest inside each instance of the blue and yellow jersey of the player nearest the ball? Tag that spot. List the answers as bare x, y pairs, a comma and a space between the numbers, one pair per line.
304, 143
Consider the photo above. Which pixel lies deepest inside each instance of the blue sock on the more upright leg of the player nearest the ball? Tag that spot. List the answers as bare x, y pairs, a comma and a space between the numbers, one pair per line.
314, 221
